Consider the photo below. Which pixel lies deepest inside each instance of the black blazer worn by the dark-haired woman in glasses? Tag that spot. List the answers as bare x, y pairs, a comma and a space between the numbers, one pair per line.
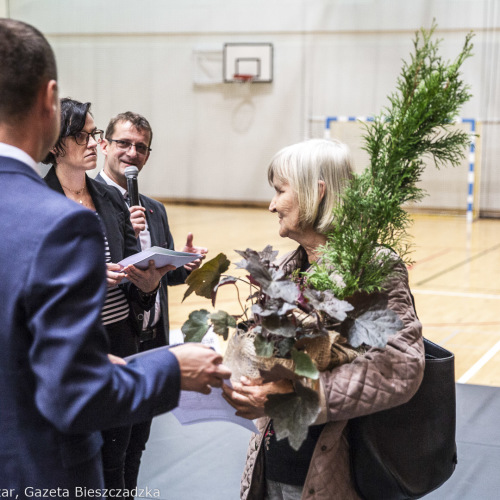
114, 215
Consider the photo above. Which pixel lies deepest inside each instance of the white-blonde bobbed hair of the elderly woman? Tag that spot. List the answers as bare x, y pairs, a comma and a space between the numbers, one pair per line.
302, 166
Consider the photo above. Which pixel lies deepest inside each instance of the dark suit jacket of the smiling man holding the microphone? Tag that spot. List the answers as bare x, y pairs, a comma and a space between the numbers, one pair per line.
157, 220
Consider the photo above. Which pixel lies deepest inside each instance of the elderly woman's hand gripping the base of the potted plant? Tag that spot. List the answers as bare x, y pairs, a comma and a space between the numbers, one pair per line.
249, 397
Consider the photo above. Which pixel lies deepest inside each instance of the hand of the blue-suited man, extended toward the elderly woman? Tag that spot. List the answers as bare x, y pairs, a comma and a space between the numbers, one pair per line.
201, 367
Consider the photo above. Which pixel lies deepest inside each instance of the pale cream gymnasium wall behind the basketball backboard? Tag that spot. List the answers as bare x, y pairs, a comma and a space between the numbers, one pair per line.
212, 140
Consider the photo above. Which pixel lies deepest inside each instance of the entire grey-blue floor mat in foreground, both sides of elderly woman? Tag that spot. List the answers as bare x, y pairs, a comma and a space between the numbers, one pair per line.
205, 461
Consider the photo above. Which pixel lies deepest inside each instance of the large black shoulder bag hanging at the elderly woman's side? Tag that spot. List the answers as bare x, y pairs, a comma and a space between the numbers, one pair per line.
410, 450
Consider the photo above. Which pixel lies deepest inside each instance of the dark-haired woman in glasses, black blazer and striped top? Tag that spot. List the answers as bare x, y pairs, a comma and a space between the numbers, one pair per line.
74, 154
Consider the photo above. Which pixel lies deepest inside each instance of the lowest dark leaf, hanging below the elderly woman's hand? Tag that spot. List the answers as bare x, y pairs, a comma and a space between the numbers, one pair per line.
293, 413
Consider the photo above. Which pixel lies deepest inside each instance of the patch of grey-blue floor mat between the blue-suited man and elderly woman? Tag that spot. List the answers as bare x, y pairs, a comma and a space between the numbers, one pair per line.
194, 462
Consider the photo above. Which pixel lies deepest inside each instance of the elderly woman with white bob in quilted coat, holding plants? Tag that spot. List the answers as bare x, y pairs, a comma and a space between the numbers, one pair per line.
308, 179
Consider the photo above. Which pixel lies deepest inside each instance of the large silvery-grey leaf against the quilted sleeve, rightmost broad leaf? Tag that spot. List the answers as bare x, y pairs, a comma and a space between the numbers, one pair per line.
374, 327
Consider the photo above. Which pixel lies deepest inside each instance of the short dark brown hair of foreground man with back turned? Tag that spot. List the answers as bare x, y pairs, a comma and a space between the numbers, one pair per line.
26, 63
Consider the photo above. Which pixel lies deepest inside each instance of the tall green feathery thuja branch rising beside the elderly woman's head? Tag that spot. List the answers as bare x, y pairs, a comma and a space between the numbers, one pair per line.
417, 123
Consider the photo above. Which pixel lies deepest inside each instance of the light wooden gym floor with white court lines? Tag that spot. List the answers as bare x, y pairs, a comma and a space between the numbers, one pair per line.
455, 277
